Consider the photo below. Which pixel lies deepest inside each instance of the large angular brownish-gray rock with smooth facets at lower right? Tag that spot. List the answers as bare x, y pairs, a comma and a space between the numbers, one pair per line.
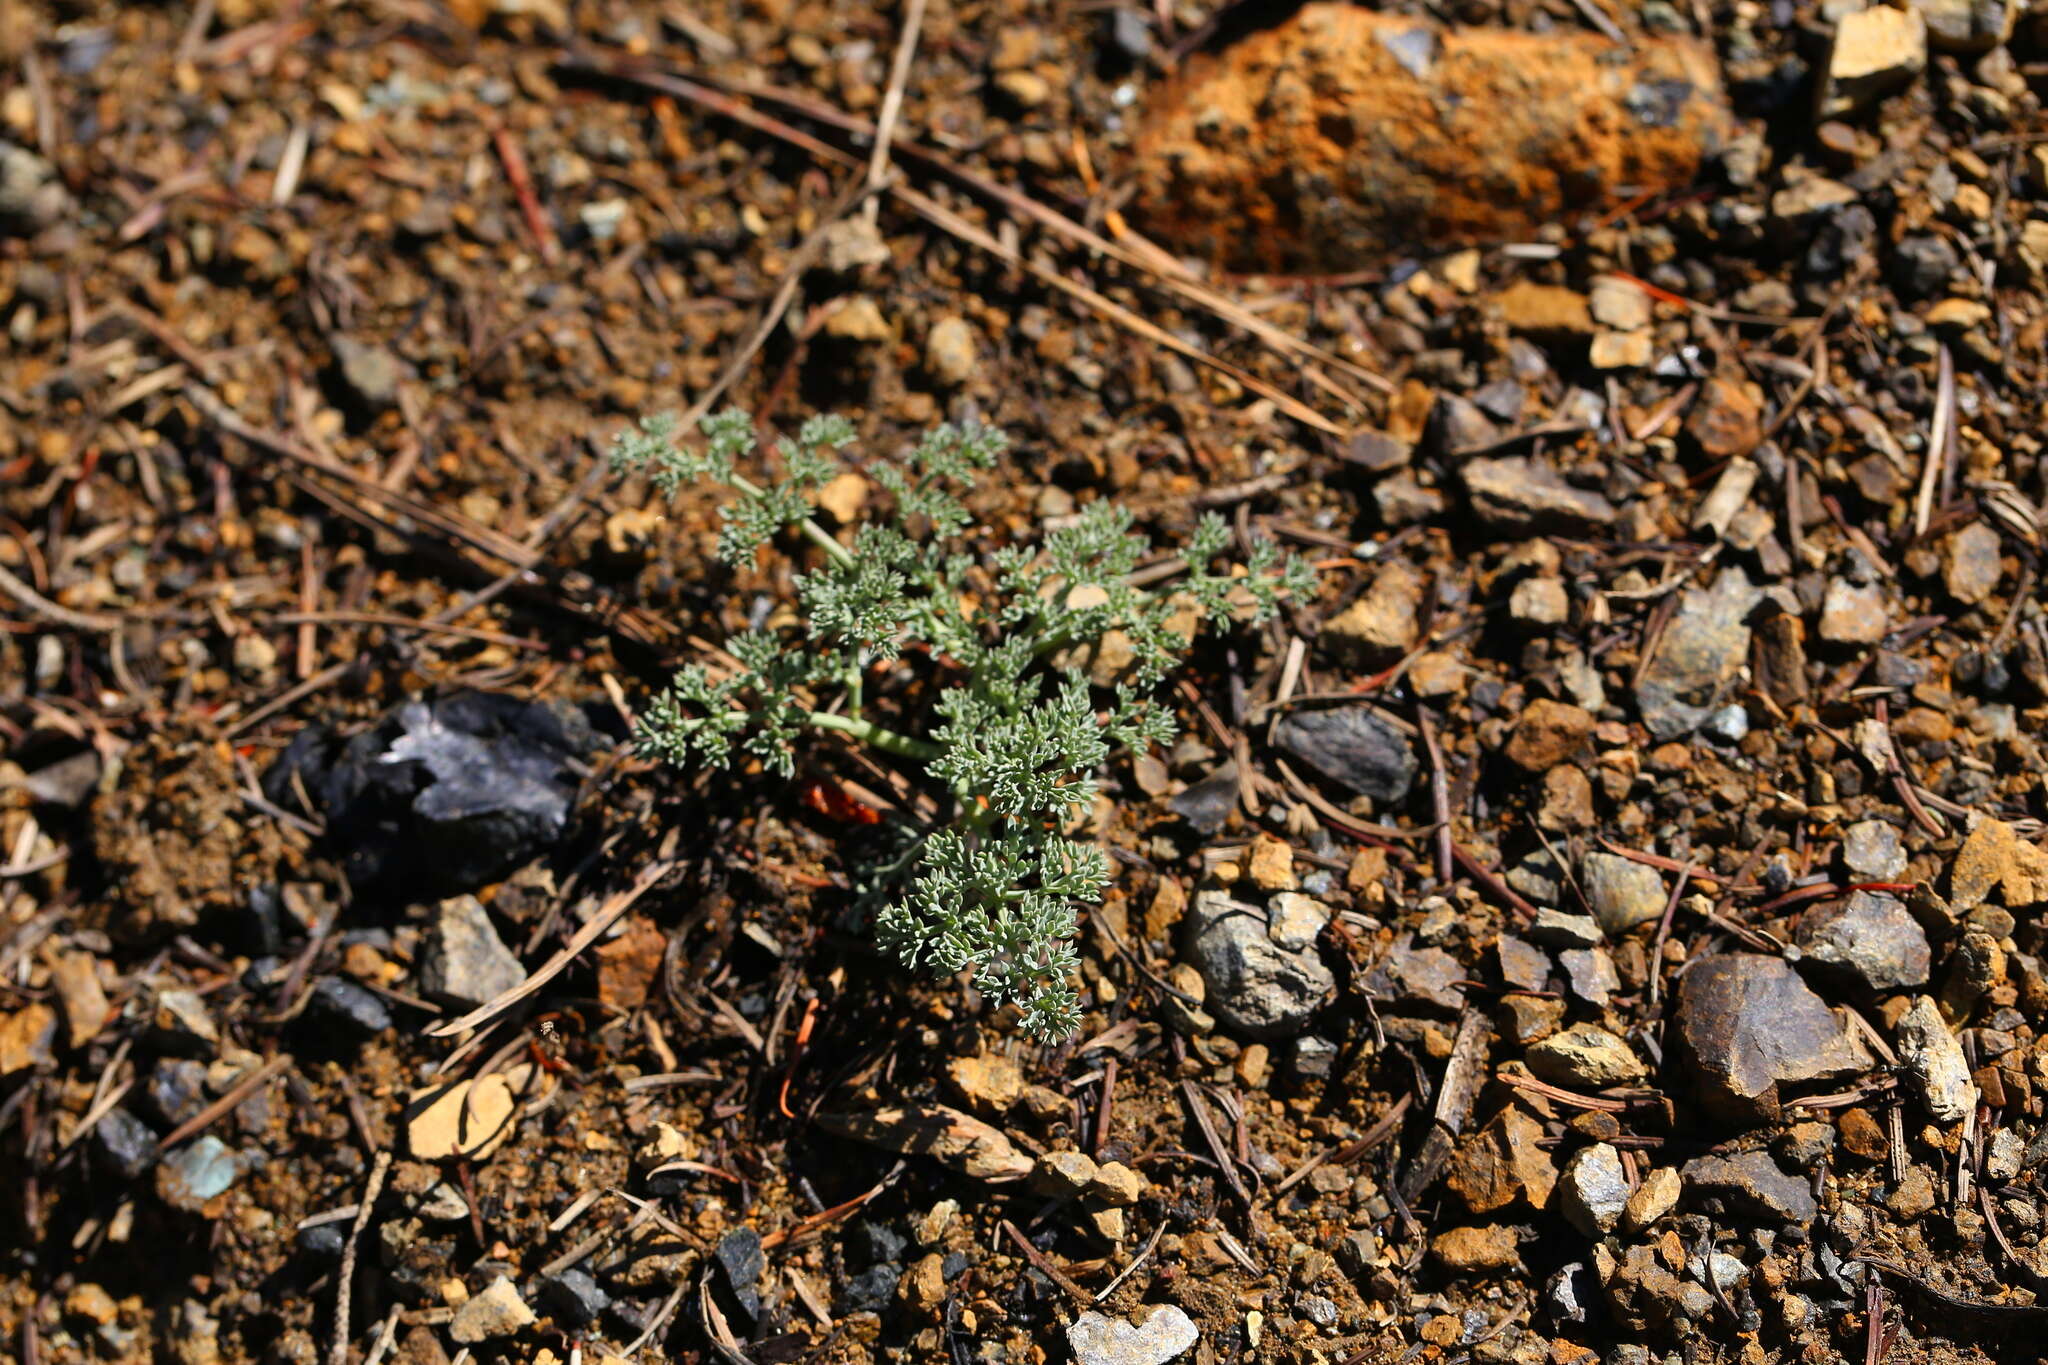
1750, 1026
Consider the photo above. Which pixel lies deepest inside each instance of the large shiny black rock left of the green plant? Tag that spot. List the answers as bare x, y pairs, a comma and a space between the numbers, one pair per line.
439, 797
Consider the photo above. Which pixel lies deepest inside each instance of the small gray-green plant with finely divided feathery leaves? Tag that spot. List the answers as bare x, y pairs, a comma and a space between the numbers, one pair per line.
1017, 742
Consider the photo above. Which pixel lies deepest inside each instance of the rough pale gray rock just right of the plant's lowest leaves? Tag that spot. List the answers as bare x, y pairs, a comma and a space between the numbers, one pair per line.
1252, 983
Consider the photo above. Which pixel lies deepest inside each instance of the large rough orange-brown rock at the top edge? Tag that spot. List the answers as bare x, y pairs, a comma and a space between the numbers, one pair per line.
1345, 132
